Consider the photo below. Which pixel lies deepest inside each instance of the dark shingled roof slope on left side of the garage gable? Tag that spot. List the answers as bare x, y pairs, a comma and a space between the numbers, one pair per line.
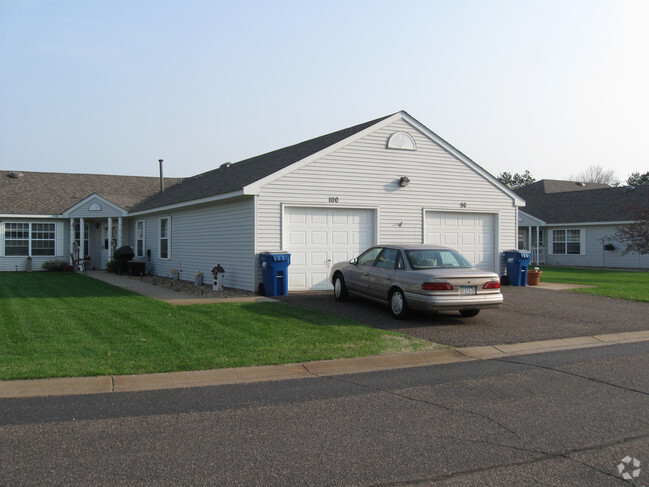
238, 175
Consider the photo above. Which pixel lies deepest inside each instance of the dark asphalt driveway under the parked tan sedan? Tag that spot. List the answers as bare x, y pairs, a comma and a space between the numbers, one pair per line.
528, 314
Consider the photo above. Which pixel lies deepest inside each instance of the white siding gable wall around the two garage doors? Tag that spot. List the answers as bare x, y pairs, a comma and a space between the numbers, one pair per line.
365, 174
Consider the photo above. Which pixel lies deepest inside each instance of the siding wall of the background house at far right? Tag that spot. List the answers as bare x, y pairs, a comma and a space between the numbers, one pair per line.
593, 254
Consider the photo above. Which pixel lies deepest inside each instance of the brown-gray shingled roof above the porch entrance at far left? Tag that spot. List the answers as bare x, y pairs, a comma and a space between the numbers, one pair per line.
45, 193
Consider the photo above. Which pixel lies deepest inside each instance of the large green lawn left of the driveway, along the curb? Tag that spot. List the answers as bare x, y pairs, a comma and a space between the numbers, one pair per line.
64, 325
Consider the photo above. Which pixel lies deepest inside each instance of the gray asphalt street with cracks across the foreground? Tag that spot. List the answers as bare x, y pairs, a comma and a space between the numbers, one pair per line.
565, 418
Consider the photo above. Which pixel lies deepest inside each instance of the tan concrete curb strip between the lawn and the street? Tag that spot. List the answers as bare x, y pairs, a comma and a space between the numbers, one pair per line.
201, 378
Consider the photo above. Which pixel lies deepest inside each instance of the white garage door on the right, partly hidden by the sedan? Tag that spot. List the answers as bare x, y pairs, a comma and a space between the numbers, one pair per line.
473, 234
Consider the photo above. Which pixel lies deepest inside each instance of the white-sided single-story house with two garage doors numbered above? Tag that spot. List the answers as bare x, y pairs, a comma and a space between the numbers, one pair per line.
323, 200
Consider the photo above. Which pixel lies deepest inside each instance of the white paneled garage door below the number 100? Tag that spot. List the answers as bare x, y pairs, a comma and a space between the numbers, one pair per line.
320, 237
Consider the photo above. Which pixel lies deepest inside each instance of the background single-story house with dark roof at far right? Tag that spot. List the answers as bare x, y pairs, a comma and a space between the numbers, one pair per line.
568, 223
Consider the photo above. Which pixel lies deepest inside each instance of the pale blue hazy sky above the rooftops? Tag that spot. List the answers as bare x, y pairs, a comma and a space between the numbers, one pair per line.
112, 86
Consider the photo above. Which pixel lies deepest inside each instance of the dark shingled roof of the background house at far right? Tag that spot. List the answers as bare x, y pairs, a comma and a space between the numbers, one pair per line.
566, 202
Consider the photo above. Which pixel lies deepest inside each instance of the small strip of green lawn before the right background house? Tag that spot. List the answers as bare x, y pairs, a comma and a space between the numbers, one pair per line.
629, 285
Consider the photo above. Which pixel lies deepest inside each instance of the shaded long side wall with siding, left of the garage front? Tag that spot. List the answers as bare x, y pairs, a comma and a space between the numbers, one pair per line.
202, 237
